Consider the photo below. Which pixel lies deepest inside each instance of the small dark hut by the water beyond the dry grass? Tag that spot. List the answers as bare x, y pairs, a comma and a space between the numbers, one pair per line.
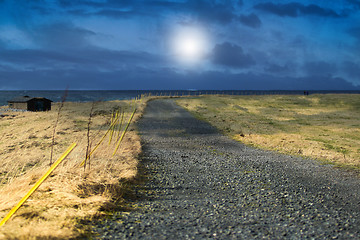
30, 103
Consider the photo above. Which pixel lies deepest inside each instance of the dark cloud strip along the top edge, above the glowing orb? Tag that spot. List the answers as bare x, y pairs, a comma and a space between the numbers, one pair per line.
204, 11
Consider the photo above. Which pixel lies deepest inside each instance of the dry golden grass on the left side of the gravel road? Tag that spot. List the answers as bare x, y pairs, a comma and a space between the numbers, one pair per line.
70, 194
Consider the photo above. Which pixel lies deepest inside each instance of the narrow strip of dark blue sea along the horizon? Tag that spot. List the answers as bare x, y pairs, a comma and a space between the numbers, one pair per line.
108, 95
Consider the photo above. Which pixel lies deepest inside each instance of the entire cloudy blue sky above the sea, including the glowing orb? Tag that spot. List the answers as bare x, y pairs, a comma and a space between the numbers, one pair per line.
174, 44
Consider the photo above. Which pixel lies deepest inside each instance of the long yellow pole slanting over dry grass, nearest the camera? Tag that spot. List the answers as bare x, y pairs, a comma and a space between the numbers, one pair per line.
37, 184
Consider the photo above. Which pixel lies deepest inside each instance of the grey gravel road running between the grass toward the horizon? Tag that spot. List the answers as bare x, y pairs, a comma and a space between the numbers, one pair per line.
203, 185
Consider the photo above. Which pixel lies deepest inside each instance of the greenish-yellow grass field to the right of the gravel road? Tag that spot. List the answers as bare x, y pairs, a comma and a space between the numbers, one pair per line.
324, 127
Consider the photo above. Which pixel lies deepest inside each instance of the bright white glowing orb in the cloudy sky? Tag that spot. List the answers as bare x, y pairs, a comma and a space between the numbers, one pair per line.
189, 44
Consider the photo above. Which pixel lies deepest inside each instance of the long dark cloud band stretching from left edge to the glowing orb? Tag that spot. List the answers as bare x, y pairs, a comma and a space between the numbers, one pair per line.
89, 58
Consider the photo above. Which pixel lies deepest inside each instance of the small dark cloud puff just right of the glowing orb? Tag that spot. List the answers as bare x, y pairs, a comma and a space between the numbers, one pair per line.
231, 55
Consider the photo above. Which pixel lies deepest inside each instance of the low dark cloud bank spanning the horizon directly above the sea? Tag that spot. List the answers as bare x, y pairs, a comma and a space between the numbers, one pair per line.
146, 79
